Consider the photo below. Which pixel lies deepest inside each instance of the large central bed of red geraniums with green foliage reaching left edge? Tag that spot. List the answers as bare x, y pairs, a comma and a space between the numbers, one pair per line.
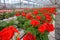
36, 23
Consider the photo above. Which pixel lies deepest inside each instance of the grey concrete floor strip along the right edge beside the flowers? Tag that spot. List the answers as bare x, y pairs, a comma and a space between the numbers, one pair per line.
57, 24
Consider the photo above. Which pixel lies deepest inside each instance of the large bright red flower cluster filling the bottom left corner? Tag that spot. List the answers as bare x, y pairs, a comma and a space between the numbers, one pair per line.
7, 33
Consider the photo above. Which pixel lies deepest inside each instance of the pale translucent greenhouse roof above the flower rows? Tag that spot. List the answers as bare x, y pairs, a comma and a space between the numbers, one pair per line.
26, 3
